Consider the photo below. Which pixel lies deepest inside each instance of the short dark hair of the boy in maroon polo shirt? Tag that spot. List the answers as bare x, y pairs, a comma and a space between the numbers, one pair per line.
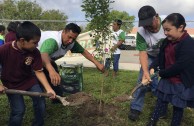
27, 30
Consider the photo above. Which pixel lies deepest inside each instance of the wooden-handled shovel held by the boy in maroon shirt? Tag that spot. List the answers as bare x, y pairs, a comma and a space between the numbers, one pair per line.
37, 94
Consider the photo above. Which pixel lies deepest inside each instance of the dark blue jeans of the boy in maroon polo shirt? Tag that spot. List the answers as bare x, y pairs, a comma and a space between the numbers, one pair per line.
18, 108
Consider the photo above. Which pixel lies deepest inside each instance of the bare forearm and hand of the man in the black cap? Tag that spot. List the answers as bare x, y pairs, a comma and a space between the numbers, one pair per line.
143, 57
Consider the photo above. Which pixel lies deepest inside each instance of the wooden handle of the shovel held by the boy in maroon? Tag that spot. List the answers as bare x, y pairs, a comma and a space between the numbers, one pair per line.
28, 93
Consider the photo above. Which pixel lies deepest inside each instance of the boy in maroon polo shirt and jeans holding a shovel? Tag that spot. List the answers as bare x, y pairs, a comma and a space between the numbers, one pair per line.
21, 67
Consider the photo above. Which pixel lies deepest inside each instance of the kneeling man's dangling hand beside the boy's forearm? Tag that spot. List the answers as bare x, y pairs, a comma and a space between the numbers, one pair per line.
55, 78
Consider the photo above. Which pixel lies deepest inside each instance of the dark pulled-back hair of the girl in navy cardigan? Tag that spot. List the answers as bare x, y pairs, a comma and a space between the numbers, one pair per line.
176, 19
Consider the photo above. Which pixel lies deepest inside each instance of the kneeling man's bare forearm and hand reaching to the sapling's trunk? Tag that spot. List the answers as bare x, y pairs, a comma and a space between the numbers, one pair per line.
88, 56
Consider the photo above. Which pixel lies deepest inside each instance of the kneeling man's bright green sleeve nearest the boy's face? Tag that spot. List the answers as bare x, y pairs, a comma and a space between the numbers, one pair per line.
49, 46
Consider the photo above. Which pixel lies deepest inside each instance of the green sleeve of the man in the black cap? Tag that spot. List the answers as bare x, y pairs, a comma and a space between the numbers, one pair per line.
141, 44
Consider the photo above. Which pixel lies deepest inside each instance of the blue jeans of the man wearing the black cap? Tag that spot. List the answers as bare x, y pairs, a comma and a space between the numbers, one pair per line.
138, 101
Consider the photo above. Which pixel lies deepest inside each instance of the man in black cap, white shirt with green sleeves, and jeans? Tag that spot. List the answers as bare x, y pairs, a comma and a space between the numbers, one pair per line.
149, 35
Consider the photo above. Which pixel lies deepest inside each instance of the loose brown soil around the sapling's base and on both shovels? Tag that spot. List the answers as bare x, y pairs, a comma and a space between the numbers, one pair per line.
92, 112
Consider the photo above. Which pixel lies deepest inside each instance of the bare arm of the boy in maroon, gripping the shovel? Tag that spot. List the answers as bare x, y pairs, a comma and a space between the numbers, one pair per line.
42, 78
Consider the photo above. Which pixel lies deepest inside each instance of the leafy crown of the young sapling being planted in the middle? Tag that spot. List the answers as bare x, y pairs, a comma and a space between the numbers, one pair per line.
97, 13
